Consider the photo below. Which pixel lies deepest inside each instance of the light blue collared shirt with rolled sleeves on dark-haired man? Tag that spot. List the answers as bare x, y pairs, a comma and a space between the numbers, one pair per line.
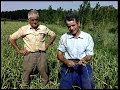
76, 48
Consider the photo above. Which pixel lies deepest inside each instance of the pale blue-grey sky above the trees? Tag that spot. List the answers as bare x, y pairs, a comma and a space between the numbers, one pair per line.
19, 5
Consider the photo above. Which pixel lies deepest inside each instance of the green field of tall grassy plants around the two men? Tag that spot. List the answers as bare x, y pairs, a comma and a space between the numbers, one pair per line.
104, 63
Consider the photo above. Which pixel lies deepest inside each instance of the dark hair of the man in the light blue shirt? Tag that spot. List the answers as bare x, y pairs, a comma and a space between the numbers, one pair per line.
71, 17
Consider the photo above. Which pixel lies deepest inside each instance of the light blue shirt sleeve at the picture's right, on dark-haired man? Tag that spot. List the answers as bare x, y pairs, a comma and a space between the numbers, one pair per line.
89, 49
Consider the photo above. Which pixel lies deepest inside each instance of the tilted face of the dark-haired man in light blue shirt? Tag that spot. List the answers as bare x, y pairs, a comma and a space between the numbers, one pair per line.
73, 26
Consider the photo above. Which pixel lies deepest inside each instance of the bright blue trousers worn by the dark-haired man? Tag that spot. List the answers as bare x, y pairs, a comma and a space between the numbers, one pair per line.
80, 75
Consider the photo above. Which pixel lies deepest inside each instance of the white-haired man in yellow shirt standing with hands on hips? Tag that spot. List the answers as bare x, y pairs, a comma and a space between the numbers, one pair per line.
35, 47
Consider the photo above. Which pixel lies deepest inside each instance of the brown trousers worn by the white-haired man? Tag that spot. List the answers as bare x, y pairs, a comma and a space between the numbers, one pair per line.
33, 60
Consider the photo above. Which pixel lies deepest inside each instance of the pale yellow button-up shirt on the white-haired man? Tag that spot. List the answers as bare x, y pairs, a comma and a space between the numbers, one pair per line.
34, 39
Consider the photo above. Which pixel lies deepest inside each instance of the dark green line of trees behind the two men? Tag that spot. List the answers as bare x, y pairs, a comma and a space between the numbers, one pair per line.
88, 15
